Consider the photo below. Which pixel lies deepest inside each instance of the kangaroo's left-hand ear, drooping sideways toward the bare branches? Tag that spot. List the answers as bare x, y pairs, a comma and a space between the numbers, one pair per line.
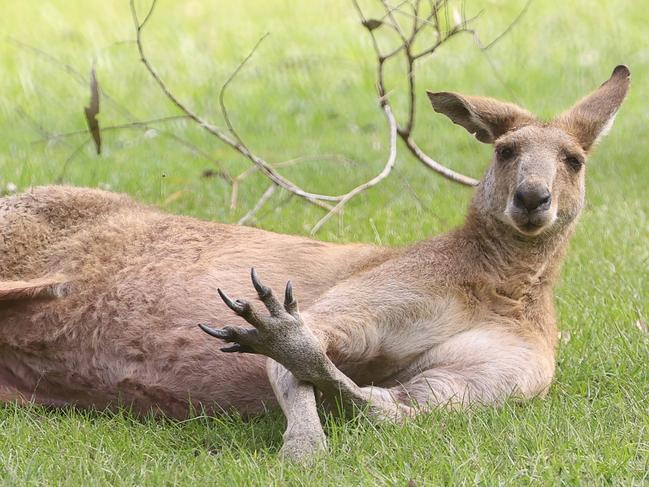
486, 118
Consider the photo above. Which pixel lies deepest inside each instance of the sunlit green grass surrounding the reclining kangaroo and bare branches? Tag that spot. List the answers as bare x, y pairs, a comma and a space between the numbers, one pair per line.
309, 90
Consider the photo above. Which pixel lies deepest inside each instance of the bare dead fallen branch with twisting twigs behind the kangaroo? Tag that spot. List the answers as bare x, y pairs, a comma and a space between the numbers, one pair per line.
423, 22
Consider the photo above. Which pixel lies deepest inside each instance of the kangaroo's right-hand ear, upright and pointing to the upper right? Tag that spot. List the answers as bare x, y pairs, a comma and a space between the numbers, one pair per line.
592, 117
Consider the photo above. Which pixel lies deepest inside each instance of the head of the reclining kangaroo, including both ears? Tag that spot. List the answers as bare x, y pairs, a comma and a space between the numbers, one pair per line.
536, 181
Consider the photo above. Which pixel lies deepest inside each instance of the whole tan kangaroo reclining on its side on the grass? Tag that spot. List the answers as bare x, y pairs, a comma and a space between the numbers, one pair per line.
100, 296
